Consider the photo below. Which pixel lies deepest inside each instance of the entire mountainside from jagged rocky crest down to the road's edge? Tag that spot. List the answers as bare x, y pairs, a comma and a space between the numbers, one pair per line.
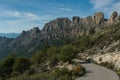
50, 53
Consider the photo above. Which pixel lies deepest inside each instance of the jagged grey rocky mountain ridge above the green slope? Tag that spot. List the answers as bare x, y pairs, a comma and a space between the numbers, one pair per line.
55, 31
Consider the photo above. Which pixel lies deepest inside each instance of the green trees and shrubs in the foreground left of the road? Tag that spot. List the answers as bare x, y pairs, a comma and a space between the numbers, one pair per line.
43, 65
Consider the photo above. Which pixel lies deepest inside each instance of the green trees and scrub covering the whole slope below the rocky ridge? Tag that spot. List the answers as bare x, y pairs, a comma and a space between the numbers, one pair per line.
44, 63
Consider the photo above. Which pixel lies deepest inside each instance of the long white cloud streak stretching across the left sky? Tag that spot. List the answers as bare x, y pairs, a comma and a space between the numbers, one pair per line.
24, 15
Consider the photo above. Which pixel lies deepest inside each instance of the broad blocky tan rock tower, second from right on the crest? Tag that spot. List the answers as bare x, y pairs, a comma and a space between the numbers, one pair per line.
98, 18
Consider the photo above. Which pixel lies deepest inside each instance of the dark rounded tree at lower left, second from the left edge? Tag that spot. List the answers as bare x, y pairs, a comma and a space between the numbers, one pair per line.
21, 64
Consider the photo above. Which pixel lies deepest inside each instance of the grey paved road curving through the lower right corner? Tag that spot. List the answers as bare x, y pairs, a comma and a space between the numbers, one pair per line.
95, 72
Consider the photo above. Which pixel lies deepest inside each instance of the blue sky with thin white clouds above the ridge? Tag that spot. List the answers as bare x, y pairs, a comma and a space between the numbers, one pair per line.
19, 15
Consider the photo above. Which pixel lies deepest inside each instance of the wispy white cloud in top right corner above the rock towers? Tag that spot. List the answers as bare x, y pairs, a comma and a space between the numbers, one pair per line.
107, 6
